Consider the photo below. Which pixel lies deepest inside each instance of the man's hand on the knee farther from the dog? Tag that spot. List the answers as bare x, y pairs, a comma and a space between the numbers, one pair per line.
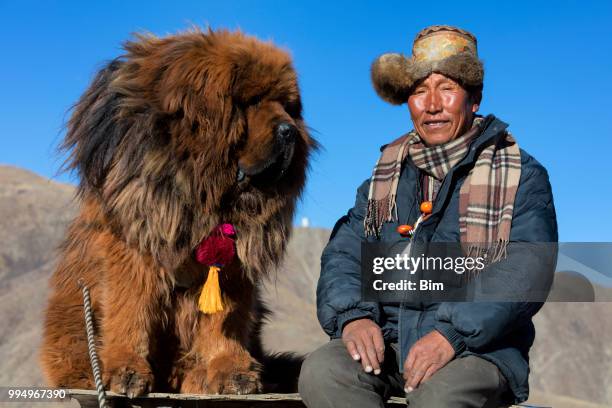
428, 355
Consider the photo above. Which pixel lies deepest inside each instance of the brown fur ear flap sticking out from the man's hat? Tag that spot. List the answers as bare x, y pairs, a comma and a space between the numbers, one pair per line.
390, 78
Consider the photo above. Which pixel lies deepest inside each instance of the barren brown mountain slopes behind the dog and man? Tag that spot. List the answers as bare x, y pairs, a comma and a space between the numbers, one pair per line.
571, 360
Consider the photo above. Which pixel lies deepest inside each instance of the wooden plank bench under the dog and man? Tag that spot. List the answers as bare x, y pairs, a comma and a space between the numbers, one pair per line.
89, 399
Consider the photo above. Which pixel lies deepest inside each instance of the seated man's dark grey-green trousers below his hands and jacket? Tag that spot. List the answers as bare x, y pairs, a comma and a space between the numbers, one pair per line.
331, 378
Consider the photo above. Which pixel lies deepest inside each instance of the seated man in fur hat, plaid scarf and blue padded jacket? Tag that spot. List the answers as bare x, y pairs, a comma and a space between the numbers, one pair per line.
462, 178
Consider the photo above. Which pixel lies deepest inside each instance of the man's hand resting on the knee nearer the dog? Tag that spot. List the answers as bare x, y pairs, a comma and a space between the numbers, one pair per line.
364, 341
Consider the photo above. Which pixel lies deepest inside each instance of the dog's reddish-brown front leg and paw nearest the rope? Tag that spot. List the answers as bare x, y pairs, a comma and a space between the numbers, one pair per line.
132, 308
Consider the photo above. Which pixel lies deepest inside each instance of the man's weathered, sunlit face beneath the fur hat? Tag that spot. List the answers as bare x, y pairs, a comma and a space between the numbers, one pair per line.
441, 109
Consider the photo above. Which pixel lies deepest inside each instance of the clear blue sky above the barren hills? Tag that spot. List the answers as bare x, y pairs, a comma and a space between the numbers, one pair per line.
547, 64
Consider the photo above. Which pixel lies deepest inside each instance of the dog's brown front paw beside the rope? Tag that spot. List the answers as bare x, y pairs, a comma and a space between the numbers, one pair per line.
133, 378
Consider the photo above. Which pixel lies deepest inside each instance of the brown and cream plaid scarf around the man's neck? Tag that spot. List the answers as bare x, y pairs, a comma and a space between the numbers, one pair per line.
486, 198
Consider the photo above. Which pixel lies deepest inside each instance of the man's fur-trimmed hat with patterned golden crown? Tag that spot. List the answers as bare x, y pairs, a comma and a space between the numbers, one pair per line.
446, 50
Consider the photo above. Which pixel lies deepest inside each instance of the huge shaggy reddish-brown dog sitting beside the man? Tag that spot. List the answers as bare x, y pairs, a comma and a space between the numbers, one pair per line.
177, 136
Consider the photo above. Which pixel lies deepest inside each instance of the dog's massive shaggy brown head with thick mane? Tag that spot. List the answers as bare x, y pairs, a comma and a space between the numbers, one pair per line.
191, 130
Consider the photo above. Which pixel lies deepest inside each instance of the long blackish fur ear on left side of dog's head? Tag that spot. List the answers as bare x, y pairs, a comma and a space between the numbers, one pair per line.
94, 130
